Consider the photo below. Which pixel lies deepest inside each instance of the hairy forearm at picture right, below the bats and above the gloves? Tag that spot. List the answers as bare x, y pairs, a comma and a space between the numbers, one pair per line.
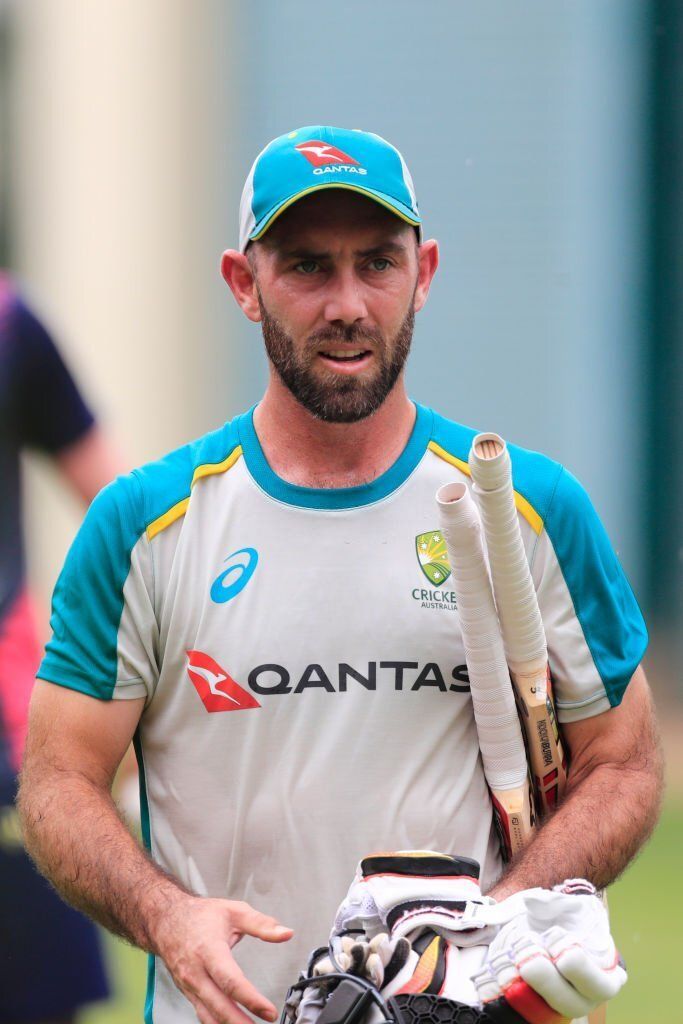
609, 814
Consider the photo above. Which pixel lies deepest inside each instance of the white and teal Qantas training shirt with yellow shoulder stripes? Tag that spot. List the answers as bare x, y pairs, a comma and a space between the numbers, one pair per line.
307, 698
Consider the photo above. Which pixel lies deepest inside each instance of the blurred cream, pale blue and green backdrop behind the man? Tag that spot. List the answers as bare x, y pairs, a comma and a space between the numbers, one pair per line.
546, 143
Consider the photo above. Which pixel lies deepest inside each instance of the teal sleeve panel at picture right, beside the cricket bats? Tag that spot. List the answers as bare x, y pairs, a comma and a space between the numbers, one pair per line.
604, 602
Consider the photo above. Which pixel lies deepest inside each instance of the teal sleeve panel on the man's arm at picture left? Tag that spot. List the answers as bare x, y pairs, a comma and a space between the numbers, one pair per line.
89, 600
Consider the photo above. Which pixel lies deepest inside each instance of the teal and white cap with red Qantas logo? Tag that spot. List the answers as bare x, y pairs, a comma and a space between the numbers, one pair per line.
320, 157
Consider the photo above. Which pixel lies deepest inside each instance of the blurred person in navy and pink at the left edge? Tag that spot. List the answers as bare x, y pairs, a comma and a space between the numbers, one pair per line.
51, 958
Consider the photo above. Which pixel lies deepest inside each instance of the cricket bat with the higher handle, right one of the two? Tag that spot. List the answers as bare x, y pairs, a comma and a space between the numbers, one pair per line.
519, 613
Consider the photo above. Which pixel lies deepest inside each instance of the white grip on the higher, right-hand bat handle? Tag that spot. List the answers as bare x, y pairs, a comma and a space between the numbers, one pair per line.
516, 594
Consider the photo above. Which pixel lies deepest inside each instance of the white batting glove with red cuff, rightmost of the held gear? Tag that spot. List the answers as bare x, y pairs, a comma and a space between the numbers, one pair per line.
558, 957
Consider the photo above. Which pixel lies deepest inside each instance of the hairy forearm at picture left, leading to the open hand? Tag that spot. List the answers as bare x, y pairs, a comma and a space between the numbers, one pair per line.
74, 833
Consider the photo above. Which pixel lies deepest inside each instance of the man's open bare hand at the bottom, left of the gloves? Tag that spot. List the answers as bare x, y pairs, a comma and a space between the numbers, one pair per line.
195, 938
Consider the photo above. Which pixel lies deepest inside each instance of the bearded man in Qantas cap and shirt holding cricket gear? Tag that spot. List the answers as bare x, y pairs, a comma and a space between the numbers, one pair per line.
251, 610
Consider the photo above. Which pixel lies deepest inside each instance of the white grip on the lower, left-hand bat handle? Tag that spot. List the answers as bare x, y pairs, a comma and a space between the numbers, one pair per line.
498, 727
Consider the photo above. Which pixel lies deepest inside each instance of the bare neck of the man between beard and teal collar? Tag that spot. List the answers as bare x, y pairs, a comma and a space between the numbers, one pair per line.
312, 453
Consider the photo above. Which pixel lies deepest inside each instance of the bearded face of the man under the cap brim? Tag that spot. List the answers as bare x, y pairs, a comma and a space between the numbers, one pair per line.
336, 279
